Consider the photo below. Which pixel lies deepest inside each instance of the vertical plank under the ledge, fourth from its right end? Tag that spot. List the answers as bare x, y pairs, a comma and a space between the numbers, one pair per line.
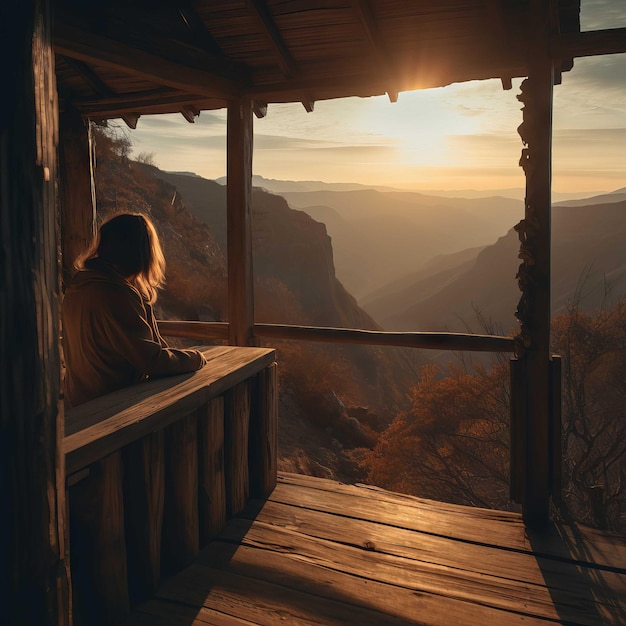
181, 534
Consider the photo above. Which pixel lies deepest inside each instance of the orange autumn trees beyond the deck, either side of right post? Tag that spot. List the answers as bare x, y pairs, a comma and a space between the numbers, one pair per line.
453, 444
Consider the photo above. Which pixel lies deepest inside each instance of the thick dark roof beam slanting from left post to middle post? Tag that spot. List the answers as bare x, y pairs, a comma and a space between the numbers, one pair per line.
93, 48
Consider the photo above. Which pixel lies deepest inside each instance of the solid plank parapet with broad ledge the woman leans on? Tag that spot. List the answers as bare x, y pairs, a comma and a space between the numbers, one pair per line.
155, 470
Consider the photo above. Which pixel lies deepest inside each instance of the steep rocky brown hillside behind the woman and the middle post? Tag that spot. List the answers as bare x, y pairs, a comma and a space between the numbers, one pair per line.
333, 398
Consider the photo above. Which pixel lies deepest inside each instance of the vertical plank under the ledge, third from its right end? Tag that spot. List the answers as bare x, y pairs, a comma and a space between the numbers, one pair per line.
212, 480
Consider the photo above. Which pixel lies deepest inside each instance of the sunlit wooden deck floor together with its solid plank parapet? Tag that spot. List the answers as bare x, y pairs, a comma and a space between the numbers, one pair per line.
177, 520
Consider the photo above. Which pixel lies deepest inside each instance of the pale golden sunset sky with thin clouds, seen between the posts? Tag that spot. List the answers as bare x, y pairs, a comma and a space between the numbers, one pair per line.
463, 136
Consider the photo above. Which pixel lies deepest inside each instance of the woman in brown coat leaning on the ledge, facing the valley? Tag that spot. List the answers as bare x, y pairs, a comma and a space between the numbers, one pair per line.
110, 336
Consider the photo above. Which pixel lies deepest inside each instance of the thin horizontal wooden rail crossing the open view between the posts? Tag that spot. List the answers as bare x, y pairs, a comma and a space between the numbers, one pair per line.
430, 341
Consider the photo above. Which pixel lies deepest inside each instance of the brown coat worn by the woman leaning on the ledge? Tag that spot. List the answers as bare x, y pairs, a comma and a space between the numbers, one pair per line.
110, 337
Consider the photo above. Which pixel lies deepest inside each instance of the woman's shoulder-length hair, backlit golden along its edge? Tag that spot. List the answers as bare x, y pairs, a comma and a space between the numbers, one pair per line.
130, 243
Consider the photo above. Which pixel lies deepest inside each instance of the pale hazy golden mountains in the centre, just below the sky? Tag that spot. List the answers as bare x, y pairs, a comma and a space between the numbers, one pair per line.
380, 236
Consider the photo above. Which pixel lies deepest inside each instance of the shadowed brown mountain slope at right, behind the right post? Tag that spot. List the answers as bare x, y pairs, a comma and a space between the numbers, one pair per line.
588, 263
